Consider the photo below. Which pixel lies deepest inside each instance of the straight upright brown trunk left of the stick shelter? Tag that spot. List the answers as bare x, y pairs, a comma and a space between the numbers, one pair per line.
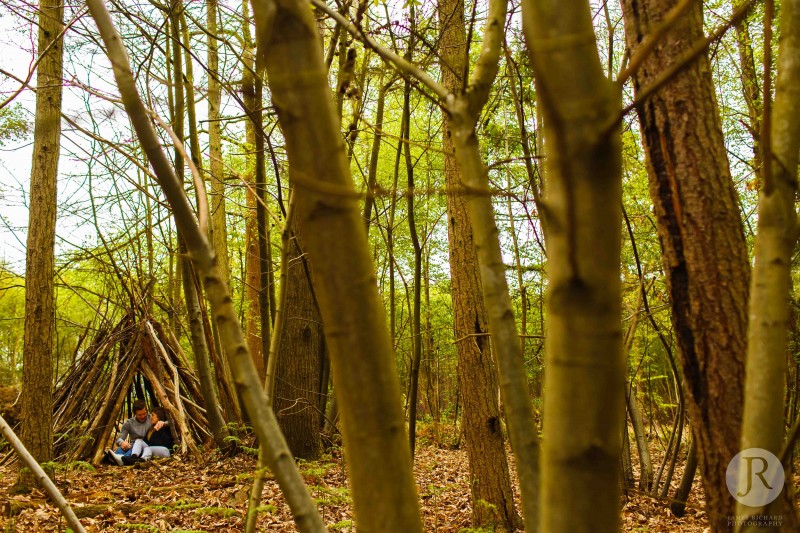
37, 355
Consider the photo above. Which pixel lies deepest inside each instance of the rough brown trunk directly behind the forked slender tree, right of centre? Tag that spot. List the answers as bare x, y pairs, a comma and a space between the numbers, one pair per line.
480, 422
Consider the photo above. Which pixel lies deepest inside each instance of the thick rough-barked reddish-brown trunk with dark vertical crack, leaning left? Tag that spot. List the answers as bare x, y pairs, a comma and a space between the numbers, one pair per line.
700, 229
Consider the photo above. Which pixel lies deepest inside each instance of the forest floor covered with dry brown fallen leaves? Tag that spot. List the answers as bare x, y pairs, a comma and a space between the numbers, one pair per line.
178, 495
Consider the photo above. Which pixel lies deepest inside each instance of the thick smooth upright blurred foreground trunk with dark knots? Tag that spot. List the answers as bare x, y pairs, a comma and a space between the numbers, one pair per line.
584, 399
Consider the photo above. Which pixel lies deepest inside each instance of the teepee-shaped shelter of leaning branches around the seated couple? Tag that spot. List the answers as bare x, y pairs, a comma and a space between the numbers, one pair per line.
136, 358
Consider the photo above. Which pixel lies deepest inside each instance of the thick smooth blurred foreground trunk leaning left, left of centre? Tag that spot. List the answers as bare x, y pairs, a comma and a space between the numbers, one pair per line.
384, 494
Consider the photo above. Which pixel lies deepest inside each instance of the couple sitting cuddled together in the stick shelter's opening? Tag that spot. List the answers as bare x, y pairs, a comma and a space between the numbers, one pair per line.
151, 436
